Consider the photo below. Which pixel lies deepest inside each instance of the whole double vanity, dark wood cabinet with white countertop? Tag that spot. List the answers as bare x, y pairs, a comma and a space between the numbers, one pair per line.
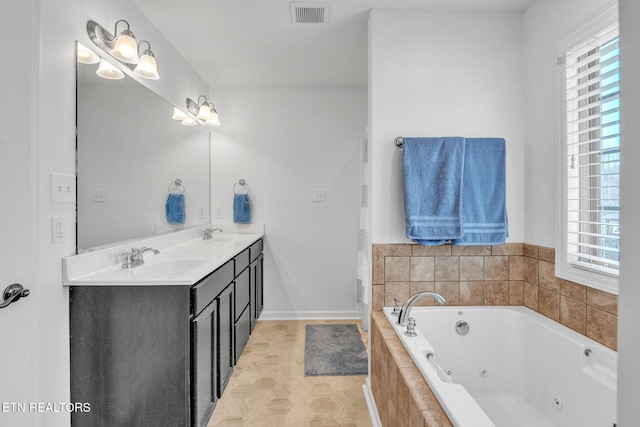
156, 344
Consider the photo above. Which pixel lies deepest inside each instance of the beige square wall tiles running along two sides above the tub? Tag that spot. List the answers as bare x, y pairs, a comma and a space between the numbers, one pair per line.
509, 274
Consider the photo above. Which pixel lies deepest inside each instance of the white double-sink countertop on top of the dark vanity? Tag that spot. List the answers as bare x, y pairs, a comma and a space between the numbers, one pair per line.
183, 260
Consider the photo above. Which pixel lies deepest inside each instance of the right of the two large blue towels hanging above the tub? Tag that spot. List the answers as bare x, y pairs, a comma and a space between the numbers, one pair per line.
484, 210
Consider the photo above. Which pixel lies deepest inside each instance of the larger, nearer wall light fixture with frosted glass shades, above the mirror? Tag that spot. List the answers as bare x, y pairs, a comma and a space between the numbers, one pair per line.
125, 49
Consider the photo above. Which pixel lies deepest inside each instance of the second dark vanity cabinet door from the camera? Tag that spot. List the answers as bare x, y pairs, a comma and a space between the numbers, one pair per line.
225, 342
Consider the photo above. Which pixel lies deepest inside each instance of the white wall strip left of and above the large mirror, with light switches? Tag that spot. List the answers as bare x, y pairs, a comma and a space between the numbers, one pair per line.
61, 23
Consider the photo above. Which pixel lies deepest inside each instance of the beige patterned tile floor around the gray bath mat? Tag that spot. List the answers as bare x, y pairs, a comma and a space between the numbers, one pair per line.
268, 387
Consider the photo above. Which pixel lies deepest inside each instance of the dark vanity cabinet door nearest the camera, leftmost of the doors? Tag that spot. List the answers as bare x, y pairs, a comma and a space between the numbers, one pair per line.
204, 397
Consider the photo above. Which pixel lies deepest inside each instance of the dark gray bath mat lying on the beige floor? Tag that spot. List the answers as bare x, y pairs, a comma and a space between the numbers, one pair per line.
334, 349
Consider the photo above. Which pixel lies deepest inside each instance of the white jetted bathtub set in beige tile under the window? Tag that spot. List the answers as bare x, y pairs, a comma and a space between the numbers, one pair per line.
510, 366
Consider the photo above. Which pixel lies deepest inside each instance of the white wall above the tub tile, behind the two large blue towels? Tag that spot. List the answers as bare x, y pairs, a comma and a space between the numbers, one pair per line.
442, 74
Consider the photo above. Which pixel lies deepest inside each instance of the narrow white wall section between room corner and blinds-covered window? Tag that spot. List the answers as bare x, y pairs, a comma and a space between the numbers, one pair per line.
545, 22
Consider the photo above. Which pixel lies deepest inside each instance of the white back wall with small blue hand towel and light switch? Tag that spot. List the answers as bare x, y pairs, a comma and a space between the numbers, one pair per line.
285, 142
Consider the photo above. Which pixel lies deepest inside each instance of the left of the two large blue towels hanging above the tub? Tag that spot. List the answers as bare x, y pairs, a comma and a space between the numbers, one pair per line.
432, 178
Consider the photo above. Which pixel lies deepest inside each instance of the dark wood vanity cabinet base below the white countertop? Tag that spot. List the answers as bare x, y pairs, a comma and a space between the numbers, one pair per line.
161, 355
